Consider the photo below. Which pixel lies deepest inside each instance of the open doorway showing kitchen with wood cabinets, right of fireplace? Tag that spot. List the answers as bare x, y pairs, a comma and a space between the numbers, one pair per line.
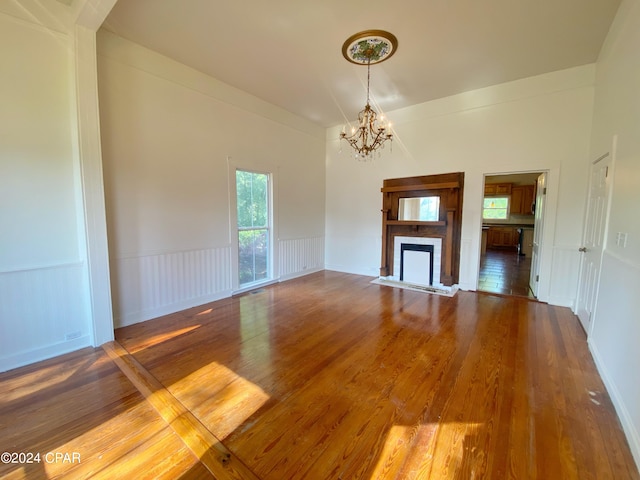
508, 224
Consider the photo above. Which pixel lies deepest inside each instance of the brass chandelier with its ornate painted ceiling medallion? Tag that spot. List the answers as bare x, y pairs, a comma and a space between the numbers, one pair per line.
366, 48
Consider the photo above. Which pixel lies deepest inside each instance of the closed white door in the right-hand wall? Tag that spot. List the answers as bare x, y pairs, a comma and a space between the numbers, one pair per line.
593, 238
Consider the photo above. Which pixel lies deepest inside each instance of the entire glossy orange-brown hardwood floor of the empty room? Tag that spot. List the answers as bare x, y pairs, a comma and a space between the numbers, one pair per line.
325, 377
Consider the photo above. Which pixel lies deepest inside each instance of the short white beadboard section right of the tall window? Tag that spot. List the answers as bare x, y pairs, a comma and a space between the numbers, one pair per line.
300, 256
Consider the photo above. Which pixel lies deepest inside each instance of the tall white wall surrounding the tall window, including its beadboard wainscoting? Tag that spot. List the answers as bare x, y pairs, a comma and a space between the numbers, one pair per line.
169, 137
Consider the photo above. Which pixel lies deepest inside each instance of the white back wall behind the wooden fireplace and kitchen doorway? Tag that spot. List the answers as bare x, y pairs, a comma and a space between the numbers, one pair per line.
536, 124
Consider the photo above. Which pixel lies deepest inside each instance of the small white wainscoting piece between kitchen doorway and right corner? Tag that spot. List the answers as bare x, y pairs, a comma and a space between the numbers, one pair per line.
564, 276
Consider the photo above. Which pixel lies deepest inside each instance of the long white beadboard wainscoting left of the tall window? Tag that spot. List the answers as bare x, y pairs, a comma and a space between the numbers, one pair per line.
149, 286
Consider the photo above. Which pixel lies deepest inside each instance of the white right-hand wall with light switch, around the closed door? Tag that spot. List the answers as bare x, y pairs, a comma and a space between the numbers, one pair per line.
616, 324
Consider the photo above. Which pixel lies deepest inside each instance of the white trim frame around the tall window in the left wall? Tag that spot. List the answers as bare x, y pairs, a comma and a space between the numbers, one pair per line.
273, 261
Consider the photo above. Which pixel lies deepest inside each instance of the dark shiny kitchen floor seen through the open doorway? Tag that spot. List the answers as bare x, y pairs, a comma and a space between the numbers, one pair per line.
506, 272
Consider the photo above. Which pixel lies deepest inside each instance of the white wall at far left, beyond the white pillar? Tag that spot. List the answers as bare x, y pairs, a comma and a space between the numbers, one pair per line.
44, 302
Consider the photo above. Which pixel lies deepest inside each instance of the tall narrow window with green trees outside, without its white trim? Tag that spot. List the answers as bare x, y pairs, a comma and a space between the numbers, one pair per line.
252, 191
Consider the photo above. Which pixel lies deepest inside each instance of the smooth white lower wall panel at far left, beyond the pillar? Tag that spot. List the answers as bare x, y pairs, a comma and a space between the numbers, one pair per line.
44, 312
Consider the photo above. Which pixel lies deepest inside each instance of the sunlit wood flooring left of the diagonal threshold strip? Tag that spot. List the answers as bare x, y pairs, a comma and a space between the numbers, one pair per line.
81, 404
